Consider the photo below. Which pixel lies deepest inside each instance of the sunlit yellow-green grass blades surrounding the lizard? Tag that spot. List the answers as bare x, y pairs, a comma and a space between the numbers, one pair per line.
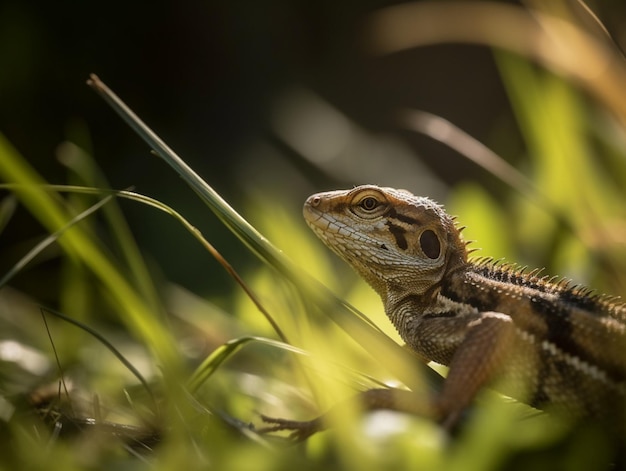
211, 369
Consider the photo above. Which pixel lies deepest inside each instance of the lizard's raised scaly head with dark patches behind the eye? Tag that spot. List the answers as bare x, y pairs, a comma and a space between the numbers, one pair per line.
397, 241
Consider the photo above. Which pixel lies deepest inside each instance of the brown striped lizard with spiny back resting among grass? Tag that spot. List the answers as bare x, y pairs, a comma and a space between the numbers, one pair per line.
541, 340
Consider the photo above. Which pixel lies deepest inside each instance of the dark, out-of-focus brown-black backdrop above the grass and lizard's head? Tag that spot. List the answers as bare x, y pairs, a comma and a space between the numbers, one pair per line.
221, 81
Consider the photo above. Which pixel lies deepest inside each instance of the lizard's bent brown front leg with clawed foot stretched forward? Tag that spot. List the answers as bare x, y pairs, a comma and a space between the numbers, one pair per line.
479, 357
